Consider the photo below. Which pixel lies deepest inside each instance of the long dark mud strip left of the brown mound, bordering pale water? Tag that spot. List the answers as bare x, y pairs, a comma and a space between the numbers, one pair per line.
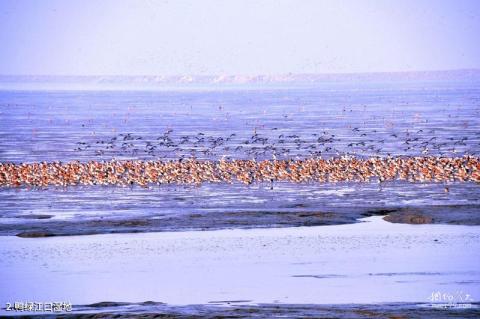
178, 222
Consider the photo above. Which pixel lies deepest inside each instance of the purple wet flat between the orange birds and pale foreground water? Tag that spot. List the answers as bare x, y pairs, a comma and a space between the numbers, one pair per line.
101, 209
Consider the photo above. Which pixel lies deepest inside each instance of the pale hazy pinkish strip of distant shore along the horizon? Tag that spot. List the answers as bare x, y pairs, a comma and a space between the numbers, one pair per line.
148, 81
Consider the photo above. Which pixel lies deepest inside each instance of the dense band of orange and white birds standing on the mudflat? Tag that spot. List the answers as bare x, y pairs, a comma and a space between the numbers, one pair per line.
191, 171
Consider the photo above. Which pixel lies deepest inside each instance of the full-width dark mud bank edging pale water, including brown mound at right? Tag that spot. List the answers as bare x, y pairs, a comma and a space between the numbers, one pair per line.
214, 220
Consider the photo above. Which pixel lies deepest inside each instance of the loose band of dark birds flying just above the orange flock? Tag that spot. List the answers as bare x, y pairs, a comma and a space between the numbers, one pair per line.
276, 145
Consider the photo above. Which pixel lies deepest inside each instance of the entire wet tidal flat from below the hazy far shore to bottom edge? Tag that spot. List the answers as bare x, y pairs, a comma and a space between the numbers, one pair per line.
254, 246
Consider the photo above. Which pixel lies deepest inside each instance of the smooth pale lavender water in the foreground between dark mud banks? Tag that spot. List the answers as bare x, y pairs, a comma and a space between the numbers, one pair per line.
369, 262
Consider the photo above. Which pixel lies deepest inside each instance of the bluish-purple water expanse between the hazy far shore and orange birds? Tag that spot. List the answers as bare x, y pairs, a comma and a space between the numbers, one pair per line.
405, 119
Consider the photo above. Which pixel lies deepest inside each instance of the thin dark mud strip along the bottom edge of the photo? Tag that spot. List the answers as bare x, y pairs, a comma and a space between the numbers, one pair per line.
160, 310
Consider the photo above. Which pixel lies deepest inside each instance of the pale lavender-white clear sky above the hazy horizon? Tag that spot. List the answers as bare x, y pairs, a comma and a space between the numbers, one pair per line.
209, 37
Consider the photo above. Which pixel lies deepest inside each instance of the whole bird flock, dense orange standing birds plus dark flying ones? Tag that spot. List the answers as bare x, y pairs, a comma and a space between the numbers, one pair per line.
346, 154
